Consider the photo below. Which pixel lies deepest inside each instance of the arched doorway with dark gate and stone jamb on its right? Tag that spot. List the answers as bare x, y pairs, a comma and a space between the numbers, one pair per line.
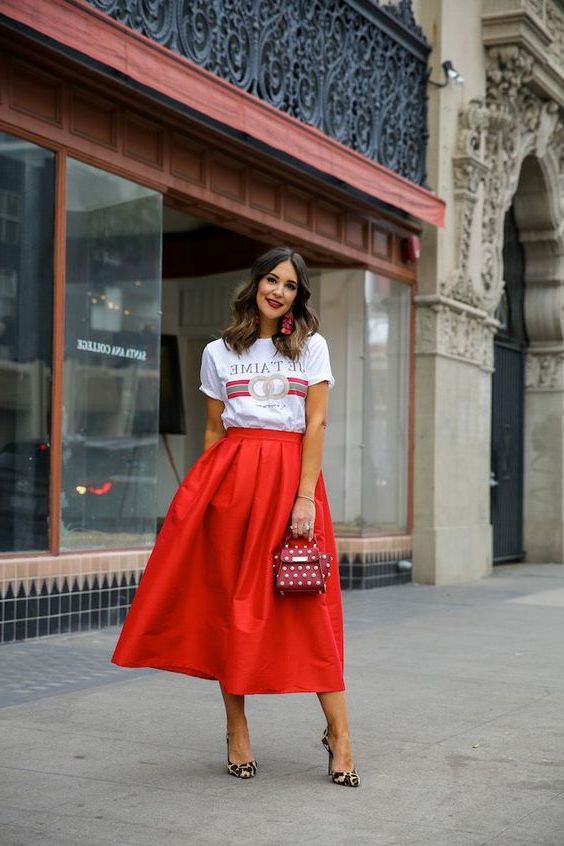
527, 499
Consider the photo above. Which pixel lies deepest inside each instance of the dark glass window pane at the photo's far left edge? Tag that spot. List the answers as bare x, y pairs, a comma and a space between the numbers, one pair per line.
26, 296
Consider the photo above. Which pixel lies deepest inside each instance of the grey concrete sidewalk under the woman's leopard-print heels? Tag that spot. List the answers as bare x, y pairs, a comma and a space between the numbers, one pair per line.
457, 708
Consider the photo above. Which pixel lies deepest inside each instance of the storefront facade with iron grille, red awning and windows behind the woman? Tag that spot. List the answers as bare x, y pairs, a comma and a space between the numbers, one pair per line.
148, 152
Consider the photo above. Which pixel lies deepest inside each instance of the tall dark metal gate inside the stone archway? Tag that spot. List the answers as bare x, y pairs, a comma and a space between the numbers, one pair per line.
508, 403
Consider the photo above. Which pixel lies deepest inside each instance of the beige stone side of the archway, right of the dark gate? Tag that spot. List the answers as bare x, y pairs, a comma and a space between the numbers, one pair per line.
537, 209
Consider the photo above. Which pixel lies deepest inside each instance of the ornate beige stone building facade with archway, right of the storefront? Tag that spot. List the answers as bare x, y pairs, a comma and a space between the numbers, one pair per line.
489, 383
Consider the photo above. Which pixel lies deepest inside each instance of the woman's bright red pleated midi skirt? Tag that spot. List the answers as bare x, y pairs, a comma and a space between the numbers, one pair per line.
206, 605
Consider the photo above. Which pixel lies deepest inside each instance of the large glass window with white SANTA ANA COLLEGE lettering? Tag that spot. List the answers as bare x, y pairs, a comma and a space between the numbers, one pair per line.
111, 370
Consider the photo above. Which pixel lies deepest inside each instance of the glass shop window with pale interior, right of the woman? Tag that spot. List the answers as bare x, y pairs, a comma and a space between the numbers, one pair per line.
365, 319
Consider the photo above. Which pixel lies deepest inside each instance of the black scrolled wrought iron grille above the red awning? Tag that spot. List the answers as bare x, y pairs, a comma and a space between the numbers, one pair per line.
356, 69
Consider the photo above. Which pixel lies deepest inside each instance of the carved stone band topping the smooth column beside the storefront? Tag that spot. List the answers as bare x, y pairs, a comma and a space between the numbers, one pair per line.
448, 328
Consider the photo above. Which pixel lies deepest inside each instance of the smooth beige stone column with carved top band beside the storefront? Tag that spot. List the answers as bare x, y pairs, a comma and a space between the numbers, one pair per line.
452, 532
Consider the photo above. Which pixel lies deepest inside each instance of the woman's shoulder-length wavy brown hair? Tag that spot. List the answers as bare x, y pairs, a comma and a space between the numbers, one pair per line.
243, 329
